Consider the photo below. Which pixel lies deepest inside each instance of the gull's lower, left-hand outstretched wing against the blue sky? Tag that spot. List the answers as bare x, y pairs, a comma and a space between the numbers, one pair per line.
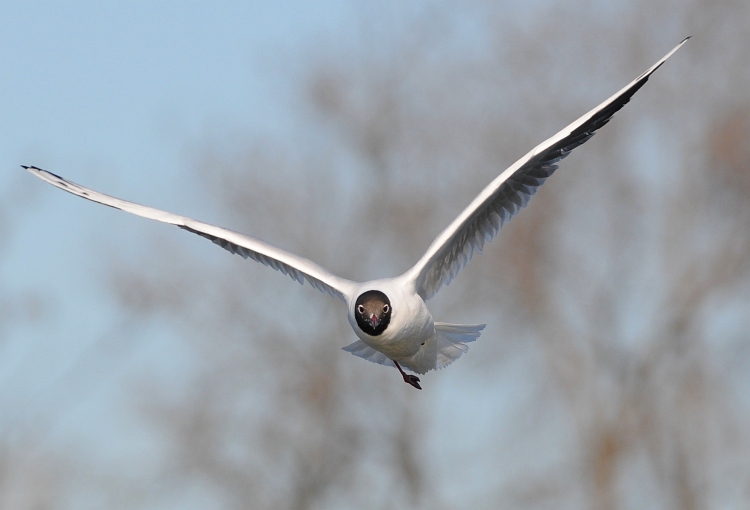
298, 268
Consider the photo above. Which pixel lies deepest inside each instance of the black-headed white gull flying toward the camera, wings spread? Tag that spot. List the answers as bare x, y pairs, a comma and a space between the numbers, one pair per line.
389, 316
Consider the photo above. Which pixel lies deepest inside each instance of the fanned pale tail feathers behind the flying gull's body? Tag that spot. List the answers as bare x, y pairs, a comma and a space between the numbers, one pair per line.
440, 350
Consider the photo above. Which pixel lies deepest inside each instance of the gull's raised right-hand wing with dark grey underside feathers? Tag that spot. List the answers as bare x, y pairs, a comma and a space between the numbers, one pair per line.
509, 193
